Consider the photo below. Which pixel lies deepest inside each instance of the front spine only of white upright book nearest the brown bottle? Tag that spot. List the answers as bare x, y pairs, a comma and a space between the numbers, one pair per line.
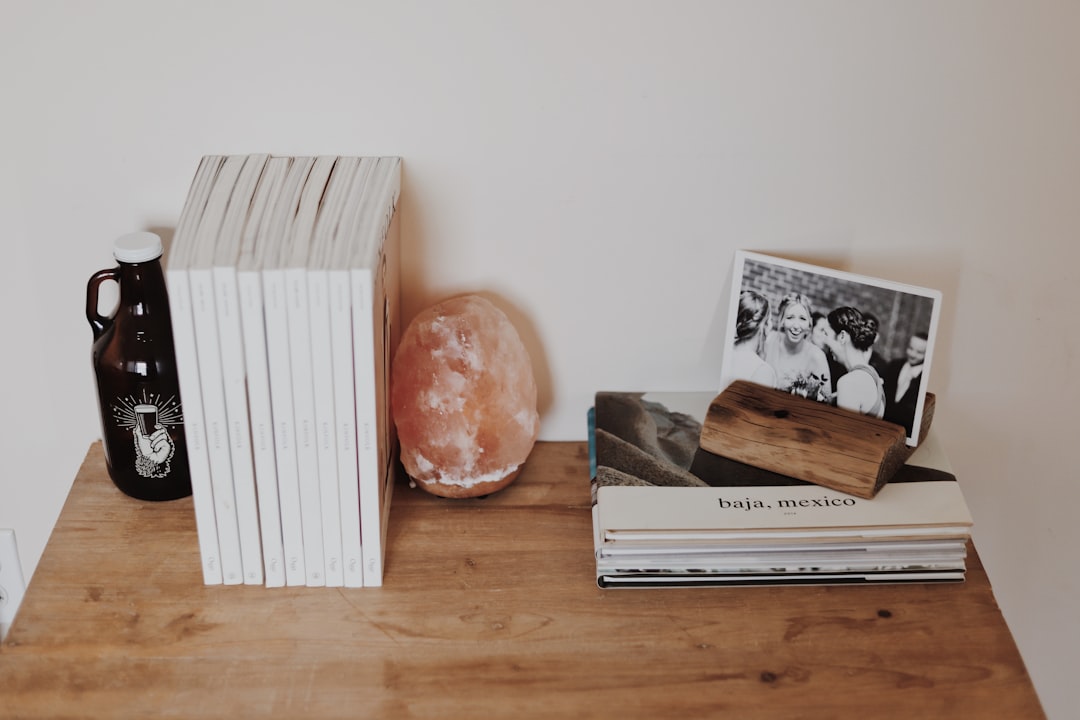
195, 431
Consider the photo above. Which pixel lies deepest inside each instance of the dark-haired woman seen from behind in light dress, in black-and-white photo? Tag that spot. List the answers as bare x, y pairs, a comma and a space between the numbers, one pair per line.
852, 338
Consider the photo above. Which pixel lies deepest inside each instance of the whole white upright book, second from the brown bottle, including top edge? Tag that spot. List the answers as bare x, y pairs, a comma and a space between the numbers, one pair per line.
205, 318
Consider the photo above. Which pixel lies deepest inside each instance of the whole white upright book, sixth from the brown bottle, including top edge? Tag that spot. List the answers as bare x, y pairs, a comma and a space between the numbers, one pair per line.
300, 346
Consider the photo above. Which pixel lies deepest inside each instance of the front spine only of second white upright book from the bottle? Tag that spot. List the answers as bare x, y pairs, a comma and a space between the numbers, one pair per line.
218, 442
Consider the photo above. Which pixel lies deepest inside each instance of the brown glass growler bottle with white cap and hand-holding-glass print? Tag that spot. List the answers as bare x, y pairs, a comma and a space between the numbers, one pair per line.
136, 366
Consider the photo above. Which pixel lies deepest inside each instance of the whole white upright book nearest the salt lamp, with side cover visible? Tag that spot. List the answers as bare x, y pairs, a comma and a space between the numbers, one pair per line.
375, 303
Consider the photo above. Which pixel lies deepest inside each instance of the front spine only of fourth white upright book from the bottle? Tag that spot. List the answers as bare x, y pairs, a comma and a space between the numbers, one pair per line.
262, 426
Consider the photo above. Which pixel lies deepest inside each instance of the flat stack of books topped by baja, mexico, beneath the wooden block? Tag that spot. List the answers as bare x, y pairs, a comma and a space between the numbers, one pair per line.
667, 513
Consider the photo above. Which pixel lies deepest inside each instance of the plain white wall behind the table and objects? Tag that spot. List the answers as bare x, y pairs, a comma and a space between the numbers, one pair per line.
595, 166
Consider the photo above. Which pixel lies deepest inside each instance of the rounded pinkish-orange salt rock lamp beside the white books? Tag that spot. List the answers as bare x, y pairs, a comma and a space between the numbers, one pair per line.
465, 400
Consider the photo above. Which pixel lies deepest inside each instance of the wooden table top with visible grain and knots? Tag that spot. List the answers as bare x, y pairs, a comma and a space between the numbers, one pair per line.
490, 609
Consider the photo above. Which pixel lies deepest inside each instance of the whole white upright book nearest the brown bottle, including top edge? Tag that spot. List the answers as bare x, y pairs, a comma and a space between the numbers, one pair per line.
187, 365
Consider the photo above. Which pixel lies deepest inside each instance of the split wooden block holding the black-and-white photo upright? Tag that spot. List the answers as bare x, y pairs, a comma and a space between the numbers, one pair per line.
805, 440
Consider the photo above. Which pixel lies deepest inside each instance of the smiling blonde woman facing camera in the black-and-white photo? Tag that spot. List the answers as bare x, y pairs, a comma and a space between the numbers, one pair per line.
802, 368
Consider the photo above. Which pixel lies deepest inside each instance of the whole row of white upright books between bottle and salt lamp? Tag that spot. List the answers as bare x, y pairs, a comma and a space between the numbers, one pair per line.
283, 283
